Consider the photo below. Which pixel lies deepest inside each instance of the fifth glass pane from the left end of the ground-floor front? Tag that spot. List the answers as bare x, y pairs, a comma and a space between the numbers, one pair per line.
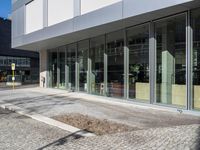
97, 47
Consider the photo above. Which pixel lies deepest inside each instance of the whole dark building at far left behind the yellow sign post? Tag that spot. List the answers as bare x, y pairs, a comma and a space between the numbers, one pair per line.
27, 62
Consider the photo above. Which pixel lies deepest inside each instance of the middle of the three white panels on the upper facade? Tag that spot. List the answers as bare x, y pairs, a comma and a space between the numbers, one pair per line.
59, 11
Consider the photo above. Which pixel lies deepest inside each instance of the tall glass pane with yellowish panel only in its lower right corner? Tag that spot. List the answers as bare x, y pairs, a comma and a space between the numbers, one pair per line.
138, 44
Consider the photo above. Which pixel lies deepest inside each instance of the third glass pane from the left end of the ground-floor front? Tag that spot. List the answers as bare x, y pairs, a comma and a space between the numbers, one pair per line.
71, 63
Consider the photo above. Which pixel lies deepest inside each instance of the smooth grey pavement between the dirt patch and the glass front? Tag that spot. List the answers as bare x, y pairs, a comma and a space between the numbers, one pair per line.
55, 104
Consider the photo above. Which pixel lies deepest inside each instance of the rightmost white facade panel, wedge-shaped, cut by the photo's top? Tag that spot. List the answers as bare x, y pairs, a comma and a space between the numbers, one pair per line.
92, 5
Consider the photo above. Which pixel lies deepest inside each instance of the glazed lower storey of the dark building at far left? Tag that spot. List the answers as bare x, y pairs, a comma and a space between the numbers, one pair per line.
26, 69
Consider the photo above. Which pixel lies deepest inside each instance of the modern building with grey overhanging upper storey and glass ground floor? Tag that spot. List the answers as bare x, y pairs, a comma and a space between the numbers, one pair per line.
116, 49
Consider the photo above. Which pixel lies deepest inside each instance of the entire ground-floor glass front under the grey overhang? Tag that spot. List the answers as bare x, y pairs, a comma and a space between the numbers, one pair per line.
126, 64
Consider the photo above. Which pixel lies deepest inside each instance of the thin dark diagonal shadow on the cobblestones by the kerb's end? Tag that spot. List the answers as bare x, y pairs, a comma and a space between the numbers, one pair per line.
62, 141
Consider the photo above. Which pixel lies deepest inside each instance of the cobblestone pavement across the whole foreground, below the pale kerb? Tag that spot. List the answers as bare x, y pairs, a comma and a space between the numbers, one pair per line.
22, 133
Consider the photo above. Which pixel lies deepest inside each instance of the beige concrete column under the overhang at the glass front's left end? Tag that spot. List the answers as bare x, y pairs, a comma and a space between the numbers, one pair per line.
43, 68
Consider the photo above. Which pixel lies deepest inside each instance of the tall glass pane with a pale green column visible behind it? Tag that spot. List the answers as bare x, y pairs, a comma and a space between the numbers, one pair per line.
171, 61
